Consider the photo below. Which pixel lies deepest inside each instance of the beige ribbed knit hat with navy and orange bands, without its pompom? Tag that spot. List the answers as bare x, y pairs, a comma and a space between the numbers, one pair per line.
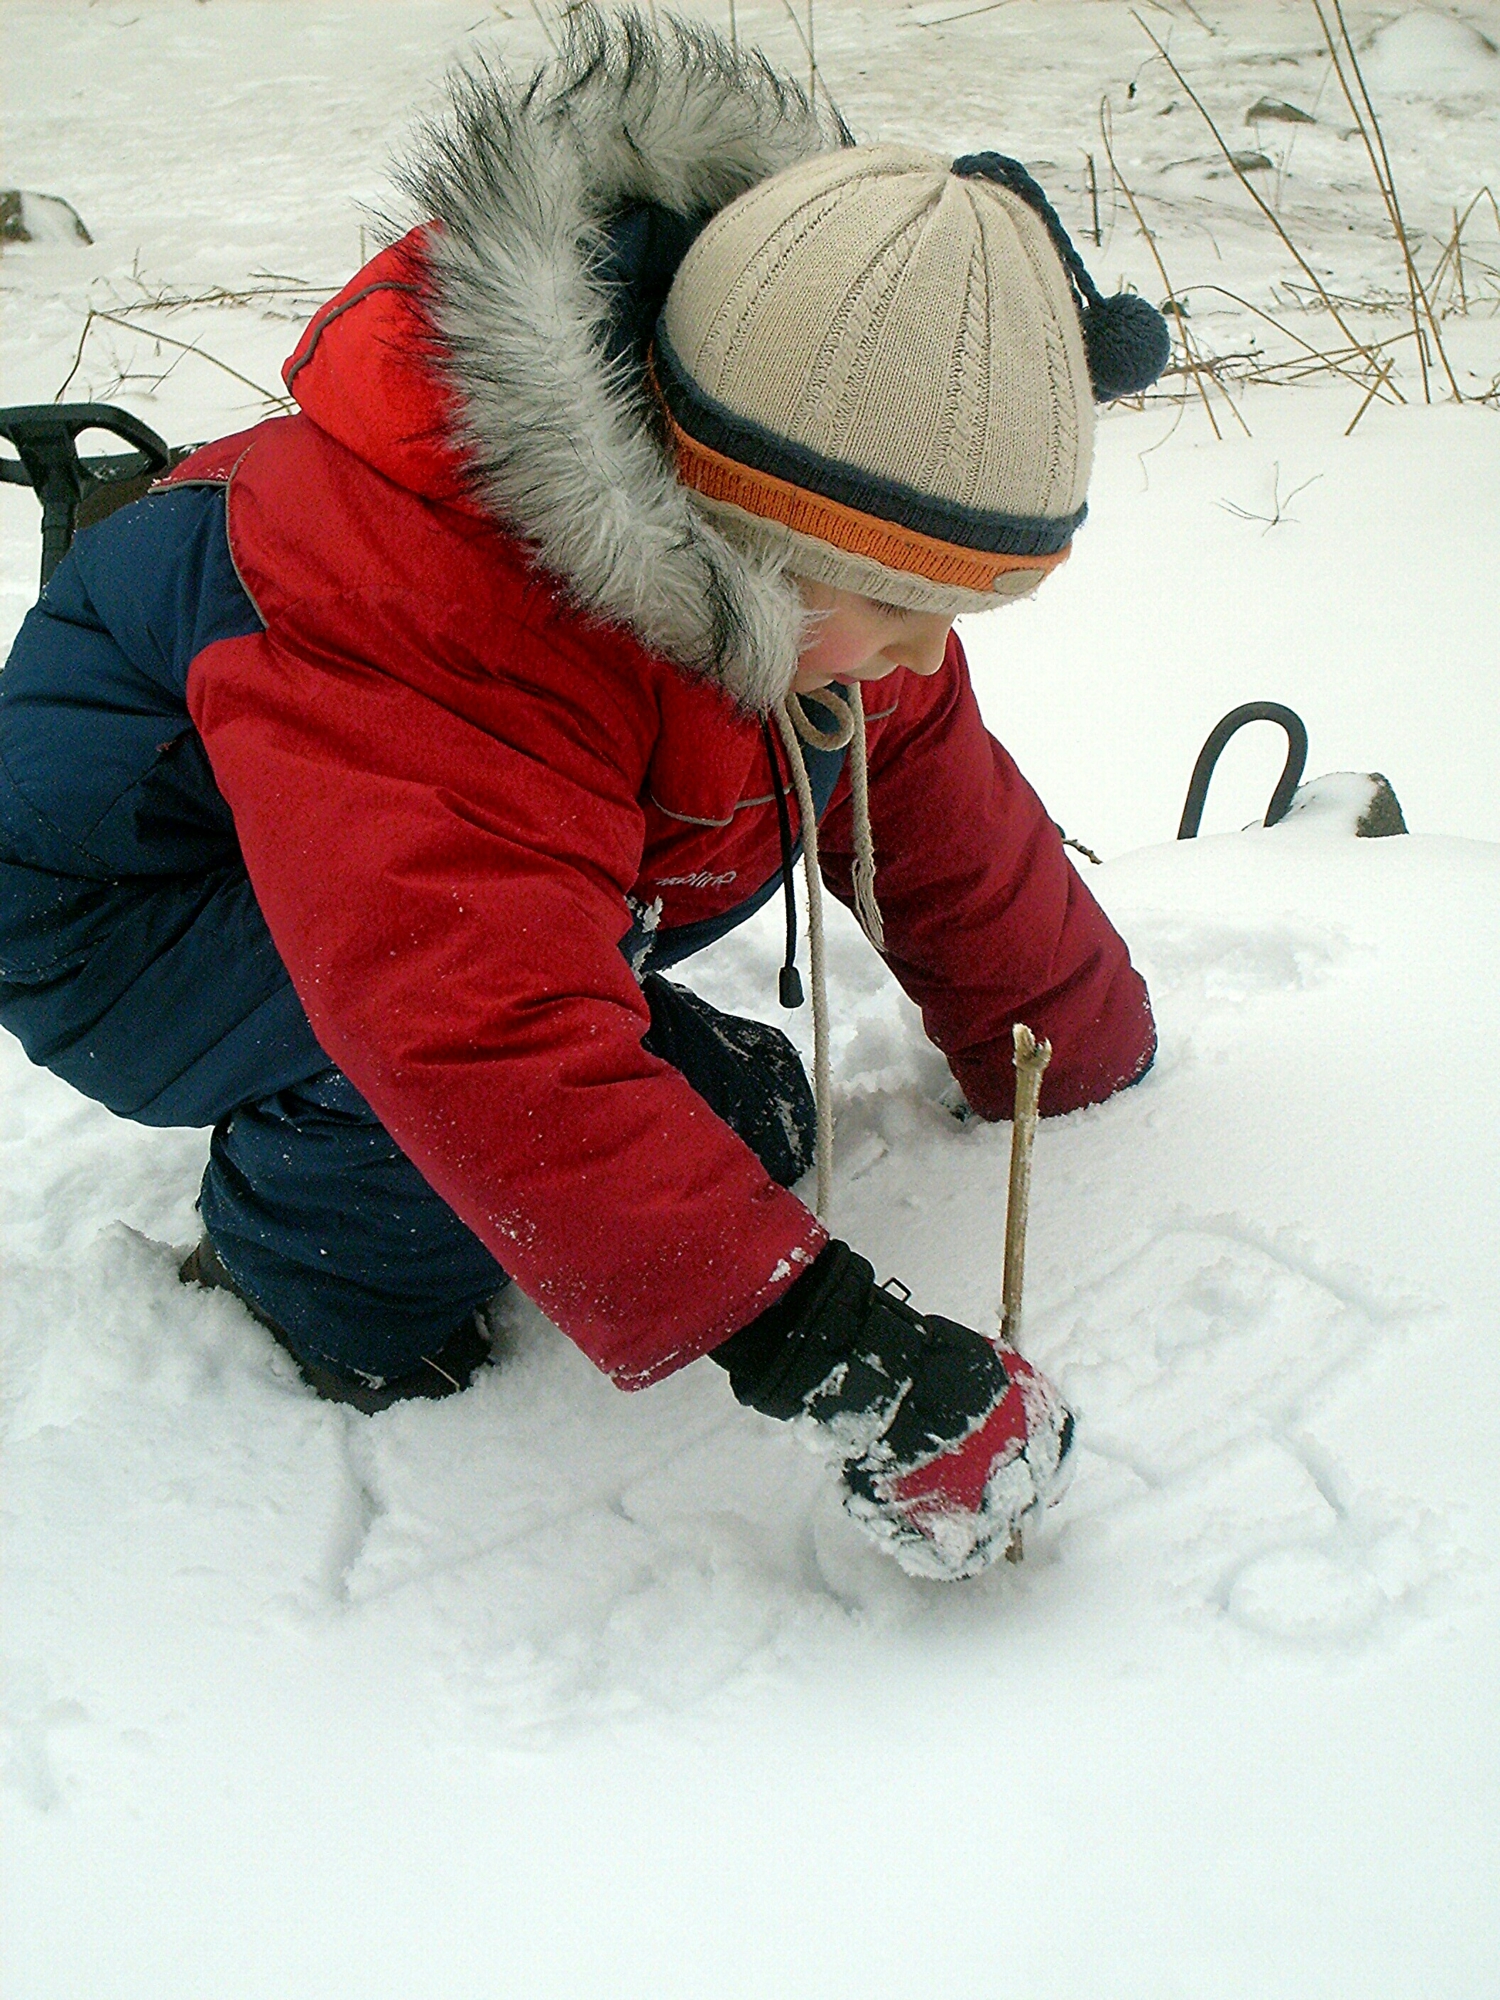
873, 365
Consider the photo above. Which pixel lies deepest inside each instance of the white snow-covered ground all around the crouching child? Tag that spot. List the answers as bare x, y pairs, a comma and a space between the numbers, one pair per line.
559, 1693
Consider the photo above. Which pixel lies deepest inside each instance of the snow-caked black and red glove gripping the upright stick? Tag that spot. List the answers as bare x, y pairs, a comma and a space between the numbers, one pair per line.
945, 1439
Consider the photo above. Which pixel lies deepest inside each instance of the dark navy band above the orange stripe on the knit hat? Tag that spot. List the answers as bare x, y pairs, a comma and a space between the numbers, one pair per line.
945, 521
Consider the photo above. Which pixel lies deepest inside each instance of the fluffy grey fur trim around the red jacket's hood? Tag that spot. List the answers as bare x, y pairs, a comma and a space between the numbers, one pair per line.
563, 441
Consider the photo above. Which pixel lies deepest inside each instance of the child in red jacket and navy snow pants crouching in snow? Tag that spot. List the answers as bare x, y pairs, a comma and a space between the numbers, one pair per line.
363, 781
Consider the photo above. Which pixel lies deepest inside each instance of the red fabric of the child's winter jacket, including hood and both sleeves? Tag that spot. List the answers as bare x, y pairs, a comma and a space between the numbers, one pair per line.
451, 779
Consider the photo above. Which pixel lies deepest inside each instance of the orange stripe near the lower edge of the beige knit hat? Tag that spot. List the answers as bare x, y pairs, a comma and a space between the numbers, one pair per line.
717, 477
